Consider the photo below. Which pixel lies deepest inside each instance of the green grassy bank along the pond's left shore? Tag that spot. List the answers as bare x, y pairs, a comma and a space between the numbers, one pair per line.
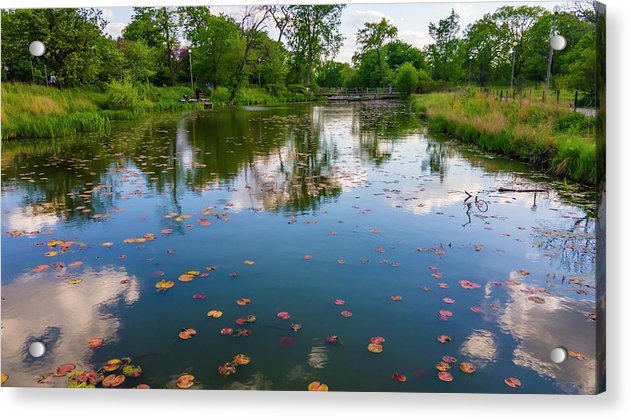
30, 111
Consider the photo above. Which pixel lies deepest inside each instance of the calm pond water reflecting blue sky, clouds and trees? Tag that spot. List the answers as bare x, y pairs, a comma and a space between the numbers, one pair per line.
294, 207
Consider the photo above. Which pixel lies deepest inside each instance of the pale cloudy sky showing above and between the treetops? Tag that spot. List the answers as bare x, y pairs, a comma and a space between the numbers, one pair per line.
411, 19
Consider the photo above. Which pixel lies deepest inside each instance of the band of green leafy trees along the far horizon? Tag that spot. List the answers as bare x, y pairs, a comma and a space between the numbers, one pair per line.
164, 46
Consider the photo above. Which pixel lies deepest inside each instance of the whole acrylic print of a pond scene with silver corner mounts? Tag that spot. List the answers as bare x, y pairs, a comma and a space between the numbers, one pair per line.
410, 200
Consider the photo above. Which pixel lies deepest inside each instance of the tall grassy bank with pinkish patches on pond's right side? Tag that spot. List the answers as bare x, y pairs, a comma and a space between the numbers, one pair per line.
548, 135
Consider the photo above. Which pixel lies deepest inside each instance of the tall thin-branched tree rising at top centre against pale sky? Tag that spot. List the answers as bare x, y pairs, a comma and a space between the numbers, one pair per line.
313, 36
